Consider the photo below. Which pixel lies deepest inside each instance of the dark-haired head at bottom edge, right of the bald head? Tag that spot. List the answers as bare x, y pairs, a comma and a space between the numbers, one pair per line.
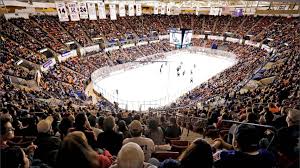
199, 152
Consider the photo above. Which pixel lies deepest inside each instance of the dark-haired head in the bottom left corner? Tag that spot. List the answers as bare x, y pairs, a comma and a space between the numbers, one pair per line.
12, 157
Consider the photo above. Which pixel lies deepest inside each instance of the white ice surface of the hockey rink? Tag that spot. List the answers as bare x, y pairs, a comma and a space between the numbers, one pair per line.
158, 84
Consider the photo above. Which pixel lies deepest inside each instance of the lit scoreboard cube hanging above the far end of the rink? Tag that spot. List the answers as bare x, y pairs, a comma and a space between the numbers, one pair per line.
181, 38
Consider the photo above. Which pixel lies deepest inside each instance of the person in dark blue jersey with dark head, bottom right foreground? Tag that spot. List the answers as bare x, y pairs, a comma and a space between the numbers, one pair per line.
246, 153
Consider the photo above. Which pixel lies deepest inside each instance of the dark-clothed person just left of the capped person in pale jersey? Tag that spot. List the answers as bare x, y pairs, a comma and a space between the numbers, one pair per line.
109, 139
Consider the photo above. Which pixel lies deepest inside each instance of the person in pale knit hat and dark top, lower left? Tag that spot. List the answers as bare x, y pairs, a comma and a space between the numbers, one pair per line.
47, 143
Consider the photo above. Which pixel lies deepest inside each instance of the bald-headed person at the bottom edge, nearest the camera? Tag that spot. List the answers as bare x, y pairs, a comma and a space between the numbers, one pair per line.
131, 156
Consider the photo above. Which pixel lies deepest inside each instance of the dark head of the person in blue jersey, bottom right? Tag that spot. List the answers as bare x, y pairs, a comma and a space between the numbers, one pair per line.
247, 137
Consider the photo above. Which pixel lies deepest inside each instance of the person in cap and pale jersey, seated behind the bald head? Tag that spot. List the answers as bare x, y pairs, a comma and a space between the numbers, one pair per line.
146, 144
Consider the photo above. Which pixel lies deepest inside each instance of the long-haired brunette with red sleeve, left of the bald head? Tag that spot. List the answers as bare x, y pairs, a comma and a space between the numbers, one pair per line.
75, 152
